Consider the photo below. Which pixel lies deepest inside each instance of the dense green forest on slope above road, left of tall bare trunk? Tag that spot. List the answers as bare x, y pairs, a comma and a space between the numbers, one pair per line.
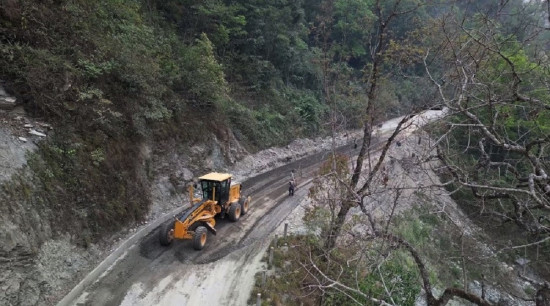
110, 75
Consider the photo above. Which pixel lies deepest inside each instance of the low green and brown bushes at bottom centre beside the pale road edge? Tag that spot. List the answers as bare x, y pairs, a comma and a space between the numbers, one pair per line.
294, 285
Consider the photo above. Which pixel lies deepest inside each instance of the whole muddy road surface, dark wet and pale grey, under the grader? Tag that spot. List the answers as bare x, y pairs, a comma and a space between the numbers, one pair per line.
223, 272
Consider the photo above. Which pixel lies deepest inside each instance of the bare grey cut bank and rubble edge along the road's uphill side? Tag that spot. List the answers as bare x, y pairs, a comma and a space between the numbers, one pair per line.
40, 264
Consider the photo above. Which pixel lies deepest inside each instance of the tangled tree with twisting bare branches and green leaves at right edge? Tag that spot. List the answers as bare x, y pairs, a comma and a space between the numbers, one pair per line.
498, 93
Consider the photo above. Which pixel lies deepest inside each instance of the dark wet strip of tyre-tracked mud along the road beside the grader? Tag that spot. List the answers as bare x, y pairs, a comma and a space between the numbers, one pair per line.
148, 262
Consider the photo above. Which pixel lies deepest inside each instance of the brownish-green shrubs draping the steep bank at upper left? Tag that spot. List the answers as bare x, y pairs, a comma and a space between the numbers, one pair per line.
101, 73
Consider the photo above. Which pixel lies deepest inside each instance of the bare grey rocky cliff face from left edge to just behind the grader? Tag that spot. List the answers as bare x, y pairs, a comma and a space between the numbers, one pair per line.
38, 262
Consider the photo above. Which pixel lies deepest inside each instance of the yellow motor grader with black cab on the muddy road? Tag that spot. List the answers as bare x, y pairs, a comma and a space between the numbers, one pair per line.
219, 198
